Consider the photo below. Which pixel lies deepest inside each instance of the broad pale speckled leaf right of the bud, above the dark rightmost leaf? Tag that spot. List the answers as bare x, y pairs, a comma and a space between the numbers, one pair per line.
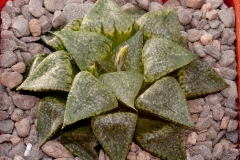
161, 56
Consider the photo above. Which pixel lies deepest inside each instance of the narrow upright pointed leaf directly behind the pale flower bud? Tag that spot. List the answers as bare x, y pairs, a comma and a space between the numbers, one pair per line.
133, 60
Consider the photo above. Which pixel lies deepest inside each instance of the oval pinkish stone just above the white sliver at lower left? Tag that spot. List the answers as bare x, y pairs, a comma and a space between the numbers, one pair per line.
23, 127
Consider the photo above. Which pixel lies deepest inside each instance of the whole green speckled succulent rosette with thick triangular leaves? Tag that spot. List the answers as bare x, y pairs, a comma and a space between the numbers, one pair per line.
116, 77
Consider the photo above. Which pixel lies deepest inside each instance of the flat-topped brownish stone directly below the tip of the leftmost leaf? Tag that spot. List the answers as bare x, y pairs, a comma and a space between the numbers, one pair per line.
24, 102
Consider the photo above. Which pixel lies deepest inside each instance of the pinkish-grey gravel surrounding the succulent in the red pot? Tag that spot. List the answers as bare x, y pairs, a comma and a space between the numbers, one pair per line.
210, 29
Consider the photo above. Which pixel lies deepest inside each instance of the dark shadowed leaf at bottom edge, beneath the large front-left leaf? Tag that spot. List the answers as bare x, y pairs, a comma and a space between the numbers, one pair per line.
81, 142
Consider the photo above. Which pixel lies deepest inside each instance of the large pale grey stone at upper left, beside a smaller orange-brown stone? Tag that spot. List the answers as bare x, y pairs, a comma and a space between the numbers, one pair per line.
20, 26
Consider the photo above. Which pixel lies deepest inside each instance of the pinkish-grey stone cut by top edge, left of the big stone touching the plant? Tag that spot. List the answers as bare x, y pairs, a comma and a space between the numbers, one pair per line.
53, 5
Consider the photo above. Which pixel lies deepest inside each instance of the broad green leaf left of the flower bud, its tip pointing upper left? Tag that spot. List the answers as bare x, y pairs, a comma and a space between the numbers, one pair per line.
85, 47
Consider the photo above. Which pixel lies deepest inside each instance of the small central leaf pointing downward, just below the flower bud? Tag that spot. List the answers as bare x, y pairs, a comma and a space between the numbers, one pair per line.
124, 84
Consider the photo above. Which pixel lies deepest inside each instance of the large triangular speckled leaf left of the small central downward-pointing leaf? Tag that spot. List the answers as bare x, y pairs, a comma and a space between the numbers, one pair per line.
88, 97
